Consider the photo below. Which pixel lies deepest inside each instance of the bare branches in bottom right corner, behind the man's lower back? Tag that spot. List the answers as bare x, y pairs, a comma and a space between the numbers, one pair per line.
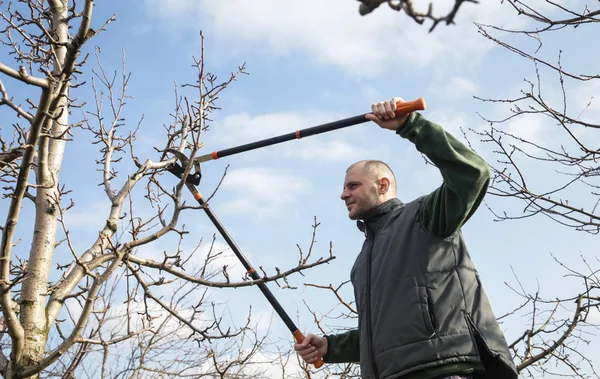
559, 328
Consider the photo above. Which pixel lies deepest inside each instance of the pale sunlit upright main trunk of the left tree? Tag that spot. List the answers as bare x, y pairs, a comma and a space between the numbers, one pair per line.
47, 201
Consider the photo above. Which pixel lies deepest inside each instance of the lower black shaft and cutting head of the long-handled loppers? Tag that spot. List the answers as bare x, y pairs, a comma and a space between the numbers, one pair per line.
191, 181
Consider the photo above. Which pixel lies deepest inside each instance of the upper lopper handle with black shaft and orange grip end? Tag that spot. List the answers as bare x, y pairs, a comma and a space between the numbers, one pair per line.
401, 109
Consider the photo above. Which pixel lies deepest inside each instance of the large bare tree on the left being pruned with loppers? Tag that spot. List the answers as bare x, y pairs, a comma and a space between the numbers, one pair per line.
54, 318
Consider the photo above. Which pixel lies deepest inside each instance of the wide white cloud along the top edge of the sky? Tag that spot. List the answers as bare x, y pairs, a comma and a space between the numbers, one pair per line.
333, 33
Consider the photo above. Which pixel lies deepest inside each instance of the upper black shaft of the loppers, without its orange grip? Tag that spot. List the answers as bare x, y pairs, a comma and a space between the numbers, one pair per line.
295, 135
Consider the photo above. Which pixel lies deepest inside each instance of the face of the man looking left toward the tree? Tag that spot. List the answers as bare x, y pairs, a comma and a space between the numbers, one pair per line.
360, 193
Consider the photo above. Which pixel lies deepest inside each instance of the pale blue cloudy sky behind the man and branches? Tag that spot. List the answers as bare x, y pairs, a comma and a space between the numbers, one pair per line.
312, 62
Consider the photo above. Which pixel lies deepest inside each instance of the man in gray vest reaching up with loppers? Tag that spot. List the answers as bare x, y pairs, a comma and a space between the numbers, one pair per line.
422, 312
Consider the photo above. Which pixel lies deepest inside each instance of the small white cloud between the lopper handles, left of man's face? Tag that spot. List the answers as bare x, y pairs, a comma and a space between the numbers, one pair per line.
262, 192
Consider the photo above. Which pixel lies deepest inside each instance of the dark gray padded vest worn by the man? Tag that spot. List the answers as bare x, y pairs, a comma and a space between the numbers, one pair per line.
420, 301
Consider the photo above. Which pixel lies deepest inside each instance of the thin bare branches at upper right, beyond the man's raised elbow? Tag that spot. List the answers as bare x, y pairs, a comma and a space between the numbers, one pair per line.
575, 158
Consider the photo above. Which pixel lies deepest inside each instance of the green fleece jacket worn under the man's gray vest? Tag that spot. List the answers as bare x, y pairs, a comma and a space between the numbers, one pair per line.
444, 211
